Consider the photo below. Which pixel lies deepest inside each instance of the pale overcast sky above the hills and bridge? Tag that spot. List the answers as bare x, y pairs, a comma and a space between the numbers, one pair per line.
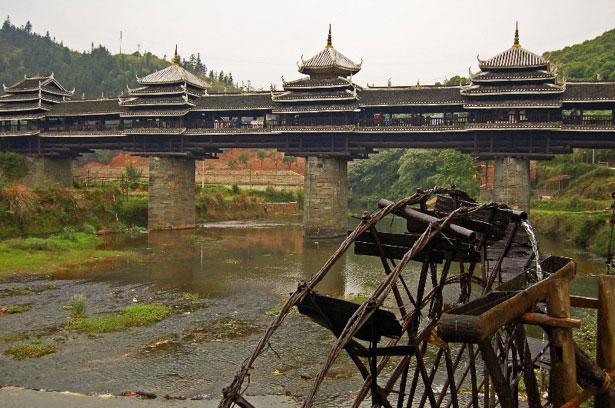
261, 40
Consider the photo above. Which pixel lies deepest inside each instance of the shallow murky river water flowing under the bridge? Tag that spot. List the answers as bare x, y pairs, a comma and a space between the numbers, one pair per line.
236, 275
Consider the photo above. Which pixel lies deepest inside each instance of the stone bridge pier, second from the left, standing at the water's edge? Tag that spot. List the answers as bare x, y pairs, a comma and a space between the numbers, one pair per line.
171, 193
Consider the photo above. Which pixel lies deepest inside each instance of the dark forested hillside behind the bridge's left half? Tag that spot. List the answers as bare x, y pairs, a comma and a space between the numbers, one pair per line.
93, 73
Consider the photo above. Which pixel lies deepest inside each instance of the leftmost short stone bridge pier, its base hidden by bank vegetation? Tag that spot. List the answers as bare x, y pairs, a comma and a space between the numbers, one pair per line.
49, 172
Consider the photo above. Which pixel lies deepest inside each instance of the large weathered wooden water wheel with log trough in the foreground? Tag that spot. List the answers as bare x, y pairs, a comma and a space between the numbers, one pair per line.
471, 350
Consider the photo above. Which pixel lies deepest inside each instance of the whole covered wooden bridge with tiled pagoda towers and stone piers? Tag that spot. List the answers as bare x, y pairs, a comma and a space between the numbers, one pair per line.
513, 109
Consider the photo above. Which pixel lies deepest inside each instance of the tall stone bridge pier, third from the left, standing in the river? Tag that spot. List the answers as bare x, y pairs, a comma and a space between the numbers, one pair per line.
325, 210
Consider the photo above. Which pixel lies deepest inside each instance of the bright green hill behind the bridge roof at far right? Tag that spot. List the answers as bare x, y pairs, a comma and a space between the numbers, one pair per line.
589, 60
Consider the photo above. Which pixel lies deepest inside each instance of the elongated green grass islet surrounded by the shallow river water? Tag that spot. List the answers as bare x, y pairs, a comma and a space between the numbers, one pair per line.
130, 316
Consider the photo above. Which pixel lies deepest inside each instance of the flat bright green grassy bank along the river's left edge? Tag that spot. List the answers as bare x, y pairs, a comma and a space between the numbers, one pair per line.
58, 251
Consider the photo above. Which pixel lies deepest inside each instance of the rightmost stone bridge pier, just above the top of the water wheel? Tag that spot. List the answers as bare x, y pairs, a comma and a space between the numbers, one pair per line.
511, 182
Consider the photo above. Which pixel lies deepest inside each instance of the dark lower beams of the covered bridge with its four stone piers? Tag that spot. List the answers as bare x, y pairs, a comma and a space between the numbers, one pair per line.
326, 191
